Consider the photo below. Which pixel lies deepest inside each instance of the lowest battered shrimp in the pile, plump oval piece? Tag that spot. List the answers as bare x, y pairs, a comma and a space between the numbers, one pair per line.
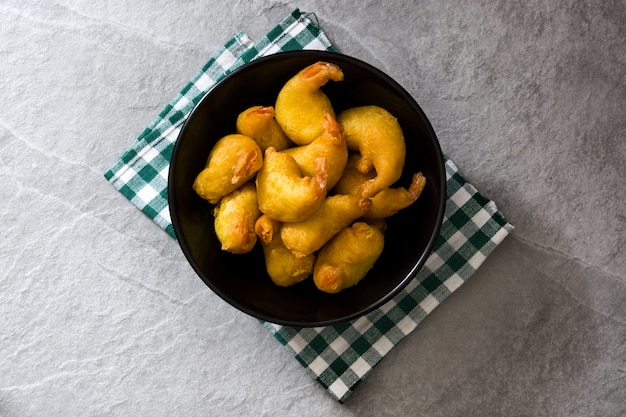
347, 258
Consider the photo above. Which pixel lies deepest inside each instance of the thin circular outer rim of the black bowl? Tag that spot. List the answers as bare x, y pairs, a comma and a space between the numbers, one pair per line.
410, 275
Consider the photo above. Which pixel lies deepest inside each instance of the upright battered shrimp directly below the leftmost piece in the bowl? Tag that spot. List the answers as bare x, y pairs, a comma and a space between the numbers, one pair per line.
235, 216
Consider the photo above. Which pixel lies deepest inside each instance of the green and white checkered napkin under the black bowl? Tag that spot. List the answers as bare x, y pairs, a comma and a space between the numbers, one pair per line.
341, 356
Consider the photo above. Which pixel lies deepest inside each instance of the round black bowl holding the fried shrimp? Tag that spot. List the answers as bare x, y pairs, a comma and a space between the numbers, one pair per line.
241, 280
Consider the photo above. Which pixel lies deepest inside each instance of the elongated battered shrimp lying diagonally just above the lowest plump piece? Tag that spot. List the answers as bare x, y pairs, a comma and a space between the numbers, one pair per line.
337, 212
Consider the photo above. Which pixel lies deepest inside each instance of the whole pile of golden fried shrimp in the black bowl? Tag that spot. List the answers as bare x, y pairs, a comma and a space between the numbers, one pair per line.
313, 187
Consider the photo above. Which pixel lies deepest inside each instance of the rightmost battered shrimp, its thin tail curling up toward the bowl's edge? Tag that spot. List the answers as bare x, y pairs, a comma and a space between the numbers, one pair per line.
391, 200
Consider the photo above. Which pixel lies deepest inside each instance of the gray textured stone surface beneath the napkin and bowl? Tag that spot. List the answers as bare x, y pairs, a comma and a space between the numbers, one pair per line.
101, 315
